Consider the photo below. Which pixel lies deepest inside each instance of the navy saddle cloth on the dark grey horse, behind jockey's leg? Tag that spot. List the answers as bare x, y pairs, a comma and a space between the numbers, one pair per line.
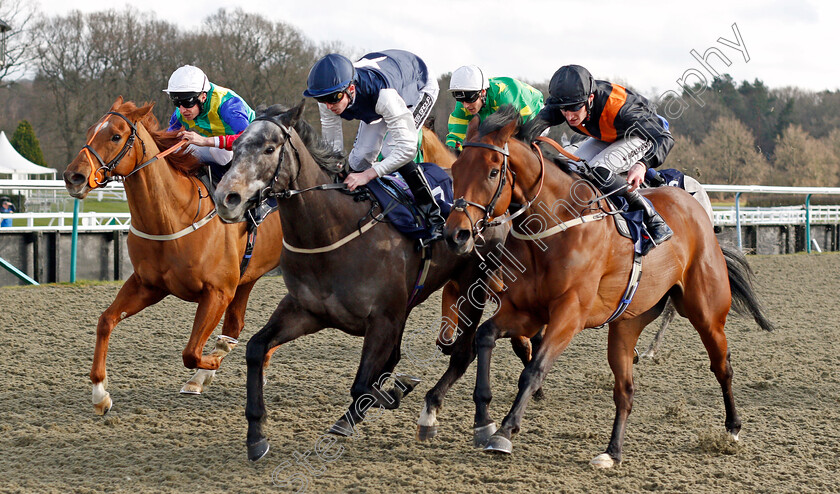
393, 194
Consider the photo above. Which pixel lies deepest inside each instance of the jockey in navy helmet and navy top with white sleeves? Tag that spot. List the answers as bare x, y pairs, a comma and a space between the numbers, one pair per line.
391, 92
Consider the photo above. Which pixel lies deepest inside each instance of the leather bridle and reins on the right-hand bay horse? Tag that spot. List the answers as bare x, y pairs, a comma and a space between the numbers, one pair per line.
486, 221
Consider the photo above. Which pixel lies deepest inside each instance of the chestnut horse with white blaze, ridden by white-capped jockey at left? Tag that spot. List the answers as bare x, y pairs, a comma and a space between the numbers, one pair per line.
176, 244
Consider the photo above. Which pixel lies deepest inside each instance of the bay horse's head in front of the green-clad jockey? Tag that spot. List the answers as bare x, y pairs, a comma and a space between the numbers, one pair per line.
482, 178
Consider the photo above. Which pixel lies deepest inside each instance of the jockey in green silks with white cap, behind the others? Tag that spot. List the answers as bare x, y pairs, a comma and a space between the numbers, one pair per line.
475, 95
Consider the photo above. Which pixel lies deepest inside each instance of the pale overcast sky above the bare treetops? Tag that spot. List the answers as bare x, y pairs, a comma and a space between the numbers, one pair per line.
645, 44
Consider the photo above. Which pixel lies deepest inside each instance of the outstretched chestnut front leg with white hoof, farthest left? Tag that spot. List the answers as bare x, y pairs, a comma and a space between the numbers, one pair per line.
131, 299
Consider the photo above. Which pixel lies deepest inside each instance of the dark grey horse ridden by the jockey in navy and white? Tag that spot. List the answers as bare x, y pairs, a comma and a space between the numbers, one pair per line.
343, 269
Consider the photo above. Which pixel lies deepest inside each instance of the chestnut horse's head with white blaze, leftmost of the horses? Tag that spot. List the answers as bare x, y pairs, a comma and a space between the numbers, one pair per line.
108, 143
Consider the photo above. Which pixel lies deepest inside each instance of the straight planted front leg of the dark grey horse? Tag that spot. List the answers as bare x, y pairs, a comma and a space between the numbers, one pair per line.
288, 322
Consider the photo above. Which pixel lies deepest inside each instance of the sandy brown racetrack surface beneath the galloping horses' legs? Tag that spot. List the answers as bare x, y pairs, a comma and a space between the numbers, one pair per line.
787, 387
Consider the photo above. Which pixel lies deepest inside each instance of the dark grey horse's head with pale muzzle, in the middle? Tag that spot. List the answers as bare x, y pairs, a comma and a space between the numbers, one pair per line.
262, 162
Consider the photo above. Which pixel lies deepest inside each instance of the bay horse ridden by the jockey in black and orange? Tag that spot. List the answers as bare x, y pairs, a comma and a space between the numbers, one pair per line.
575, 269
